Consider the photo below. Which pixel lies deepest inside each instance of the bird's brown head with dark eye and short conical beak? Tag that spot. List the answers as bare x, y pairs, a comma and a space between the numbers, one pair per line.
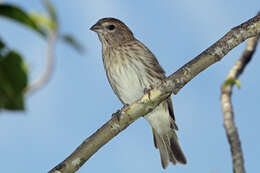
112, 32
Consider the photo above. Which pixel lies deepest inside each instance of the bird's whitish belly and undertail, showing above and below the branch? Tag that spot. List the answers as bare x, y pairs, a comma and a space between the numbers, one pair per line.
129, 82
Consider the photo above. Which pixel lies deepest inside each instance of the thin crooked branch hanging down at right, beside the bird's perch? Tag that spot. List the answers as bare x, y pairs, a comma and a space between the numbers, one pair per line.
226, 104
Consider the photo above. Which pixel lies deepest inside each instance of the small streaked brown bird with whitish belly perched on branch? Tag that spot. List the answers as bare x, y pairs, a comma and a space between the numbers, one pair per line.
131, 68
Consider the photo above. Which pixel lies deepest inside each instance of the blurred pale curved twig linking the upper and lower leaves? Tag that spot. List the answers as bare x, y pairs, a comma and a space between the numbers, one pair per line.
45, 77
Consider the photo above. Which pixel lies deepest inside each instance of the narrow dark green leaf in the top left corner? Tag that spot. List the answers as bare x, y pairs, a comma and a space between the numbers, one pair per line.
17, 14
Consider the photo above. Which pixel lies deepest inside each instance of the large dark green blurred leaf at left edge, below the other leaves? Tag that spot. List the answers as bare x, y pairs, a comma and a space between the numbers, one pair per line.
13, 81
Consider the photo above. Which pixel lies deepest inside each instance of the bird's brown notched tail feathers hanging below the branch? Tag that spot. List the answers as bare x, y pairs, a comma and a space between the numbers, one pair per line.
170, 150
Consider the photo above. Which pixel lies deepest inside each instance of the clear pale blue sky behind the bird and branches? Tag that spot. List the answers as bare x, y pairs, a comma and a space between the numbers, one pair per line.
78, 99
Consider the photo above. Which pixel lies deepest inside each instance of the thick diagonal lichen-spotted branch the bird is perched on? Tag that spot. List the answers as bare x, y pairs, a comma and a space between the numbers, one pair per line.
151, 99
